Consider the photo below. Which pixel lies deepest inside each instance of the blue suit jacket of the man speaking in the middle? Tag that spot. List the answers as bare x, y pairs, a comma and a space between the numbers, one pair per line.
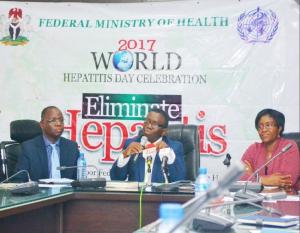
135, 170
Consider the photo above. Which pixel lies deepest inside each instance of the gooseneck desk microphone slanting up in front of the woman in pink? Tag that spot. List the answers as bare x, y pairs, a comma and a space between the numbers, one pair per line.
243, 193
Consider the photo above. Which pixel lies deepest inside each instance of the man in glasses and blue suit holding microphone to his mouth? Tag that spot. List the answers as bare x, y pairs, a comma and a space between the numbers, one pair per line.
134, 166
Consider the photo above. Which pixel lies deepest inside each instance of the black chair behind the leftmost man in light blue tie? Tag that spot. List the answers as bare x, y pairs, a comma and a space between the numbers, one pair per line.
20, 131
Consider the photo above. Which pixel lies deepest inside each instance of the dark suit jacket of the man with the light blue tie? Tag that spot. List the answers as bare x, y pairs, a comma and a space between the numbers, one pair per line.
34, 159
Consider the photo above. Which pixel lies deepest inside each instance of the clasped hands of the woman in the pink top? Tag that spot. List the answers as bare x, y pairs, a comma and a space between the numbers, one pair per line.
277, 179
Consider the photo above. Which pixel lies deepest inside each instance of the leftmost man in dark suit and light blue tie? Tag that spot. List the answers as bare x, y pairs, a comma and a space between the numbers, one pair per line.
41, 155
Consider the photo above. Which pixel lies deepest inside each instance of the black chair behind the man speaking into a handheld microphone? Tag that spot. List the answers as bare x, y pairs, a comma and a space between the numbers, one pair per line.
188, 135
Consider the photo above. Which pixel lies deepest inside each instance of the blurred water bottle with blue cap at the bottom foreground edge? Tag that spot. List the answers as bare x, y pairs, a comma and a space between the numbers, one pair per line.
170, 214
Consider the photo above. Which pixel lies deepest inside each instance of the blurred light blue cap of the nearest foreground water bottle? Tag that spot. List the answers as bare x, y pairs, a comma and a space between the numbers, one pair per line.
171, 211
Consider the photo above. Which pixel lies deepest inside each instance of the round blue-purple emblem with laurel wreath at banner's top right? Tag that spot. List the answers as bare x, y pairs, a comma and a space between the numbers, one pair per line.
257, 26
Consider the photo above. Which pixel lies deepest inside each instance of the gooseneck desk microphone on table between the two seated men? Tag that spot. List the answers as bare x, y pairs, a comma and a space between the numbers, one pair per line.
86, 183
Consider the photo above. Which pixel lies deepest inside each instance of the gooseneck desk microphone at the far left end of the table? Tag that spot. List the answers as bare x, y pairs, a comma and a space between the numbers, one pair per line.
28, 188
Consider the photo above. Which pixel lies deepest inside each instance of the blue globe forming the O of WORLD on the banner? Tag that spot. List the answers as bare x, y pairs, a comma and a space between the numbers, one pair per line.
123, 60
